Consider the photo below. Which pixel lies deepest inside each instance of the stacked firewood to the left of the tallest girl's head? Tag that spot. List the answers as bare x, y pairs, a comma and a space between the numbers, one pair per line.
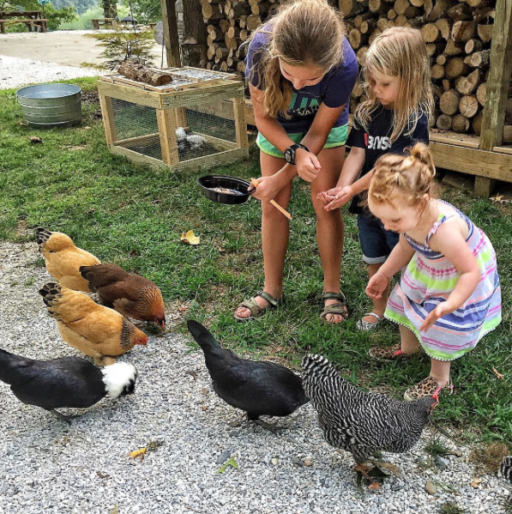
229, 23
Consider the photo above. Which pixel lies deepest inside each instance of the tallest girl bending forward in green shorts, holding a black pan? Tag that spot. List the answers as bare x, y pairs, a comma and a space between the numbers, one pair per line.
301, 70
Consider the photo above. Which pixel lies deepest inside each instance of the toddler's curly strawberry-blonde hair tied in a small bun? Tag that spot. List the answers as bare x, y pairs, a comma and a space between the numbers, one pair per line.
412, 175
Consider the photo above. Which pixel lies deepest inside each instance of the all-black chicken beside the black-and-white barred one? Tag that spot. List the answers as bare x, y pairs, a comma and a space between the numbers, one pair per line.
258, 388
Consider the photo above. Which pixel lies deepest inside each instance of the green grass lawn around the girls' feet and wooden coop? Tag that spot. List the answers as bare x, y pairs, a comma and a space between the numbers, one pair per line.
133, 216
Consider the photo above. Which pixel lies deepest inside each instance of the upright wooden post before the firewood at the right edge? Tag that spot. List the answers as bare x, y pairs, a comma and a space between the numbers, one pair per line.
497, 86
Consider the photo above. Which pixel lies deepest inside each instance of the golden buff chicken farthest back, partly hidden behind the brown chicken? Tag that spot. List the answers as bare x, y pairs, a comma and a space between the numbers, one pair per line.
63, 259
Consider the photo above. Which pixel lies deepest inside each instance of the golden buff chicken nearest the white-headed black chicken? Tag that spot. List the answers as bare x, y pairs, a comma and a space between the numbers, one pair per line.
97, 331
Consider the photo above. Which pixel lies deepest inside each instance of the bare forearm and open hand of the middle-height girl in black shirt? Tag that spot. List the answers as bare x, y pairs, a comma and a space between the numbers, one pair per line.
344, 190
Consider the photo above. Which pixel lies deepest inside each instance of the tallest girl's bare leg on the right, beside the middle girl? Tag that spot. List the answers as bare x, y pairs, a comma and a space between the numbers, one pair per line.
329, 224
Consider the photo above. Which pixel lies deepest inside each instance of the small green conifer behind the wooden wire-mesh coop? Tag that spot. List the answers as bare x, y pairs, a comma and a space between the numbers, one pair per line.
124, 44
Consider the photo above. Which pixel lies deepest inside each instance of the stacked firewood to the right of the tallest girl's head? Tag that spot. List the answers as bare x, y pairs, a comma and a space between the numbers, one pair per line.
458, 37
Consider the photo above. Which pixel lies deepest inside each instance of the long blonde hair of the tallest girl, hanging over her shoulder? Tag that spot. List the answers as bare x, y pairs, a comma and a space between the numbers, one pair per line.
302, 33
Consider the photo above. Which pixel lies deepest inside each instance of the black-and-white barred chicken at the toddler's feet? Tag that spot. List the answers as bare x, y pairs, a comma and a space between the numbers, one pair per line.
361, 422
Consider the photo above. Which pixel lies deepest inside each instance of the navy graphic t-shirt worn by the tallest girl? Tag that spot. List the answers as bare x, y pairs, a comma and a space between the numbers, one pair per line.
334, 89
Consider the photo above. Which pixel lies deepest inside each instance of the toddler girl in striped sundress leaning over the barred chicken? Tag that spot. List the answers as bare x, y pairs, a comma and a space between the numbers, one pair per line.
449, 295
